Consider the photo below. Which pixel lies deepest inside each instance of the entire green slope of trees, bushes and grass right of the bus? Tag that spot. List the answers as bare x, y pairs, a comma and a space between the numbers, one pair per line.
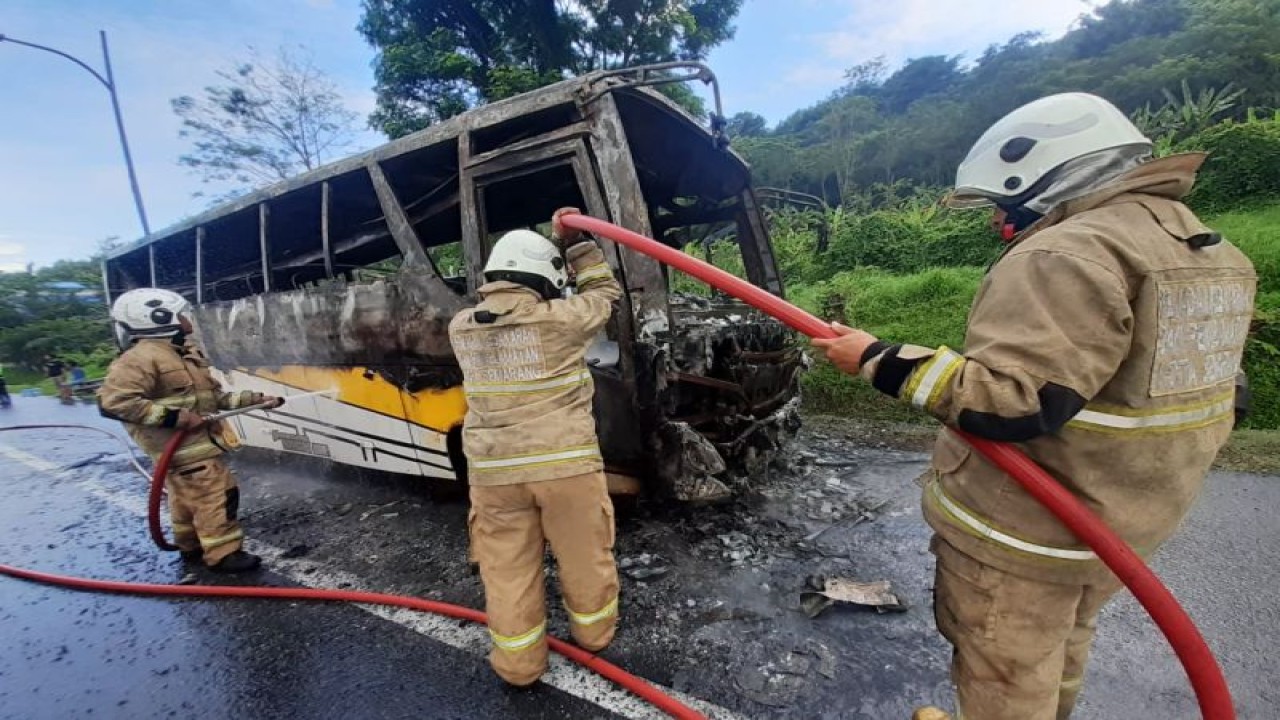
1196, 76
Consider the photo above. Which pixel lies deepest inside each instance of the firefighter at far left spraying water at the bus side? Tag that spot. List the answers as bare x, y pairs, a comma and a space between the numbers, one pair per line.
159, 384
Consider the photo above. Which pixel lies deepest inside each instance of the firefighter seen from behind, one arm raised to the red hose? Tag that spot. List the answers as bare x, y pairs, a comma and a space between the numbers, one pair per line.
534, 462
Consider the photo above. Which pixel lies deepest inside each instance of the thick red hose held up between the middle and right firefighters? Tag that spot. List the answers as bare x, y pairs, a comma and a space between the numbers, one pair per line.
1203, 669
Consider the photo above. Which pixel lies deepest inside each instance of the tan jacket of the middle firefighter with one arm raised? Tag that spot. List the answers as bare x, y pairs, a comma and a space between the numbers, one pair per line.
529, 390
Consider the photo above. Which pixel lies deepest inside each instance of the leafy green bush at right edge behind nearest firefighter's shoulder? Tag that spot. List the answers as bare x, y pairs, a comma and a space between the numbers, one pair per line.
1244, 167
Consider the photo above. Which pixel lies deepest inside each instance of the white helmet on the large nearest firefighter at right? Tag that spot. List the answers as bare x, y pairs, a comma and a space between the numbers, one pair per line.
1014, 160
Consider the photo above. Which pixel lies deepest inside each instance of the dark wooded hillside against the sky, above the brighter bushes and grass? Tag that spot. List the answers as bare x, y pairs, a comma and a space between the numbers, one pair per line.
1180, 66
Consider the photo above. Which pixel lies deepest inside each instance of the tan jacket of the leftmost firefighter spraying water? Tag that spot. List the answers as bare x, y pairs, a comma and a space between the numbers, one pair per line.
147, 388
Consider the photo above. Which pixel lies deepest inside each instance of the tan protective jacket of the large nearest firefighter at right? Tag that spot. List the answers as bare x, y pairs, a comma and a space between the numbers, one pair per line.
1107, 340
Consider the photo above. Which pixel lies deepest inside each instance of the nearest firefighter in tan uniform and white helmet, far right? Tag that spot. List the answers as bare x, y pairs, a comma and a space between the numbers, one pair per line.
1107, 341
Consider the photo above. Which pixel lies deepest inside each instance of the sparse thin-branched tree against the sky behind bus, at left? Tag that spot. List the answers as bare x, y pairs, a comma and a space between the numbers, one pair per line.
269, 121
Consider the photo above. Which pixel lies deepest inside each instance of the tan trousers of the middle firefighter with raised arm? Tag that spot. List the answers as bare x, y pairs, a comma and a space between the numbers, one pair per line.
510, 530
